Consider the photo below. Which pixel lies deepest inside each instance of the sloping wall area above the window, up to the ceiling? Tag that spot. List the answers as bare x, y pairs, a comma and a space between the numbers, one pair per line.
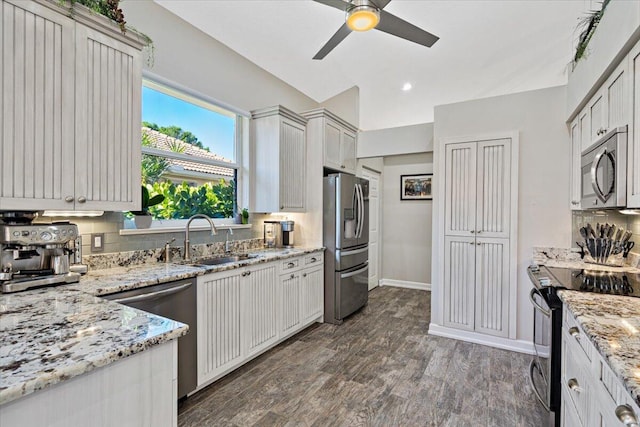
187, 56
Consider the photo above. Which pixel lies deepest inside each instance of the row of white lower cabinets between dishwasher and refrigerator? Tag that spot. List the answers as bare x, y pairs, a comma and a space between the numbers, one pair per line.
244, 312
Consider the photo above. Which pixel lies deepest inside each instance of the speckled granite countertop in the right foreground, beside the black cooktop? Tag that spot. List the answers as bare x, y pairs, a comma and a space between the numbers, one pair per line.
612, 323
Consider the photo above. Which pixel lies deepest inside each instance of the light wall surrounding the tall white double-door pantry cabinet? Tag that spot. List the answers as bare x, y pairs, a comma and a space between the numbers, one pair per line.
544, 218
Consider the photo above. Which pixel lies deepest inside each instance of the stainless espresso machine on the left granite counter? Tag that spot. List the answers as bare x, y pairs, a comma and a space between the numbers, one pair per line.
37, 255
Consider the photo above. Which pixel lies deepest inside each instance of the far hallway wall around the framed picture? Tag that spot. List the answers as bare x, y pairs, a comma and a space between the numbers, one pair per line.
406, 225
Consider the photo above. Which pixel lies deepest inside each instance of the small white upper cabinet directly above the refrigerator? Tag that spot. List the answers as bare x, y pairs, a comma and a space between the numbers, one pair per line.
338, 139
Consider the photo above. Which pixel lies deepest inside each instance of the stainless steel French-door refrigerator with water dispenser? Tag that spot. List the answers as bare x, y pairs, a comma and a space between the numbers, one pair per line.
346, 237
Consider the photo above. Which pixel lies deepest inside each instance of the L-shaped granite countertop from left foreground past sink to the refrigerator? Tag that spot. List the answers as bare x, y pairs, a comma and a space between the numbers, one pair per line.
53, 334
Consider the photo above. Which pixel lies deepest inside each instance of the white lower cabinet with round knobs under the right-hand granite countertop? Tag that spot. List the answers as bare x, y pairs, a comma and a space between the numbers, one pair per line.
592, 395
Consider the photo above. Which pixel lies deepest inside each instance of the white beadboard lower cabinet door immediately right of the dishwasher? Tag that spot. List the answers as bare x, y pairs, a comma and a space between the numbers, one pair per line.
220, 317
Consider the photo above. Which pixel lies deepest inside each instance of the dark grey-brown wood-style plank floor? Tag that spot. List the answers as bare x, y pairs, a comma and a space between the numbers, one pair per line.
380, 368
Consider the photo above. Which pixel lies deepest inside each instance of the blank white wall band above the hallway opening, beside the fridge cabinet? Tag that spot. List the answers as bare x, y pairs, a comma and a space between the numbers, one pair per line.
395, 141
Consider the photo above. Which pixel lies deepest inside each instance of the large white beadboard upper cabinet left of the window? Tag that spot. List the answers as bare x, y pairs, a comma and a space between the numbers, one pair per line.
70, 138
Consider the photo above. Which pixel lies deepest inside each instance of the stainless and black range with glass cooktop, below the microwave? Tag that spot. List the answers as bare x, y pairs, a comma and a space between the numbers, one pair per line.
544, 370
